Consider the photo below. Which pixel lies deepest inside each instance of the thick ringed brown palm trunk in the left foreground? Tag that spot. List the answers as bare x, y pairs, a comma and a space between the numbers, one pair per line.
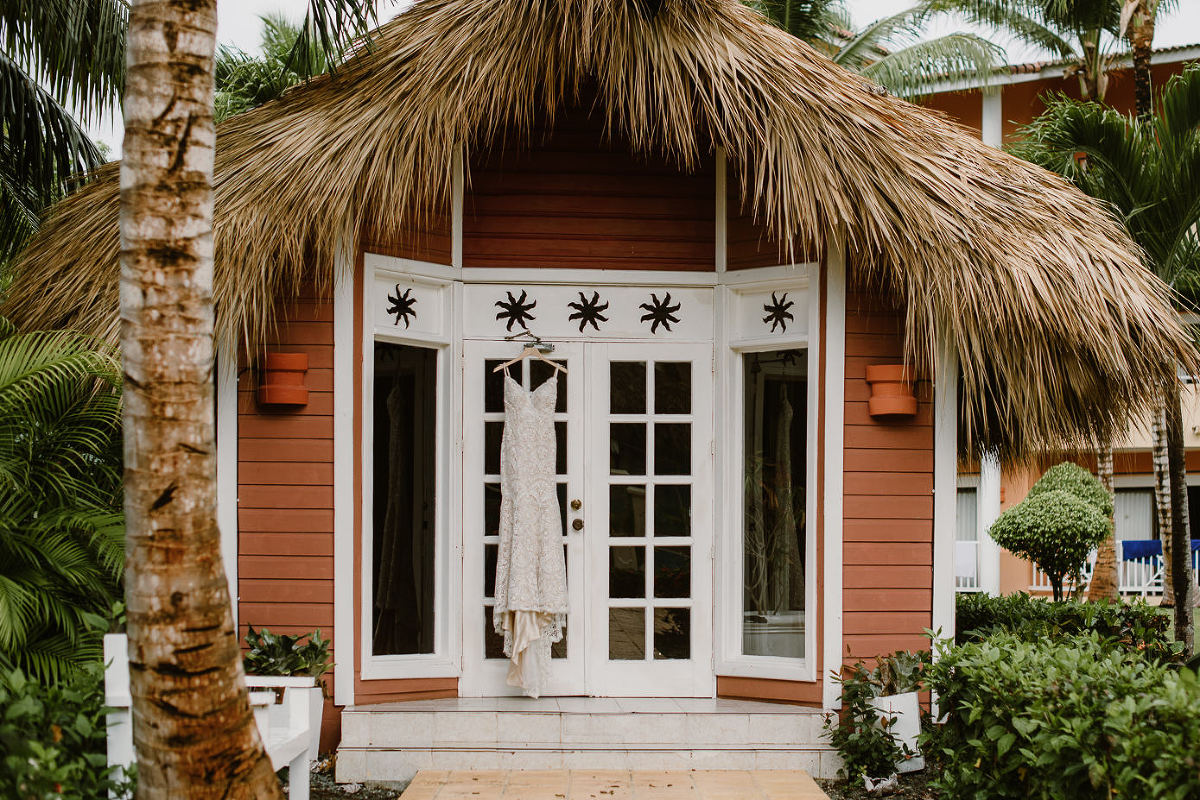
193, 725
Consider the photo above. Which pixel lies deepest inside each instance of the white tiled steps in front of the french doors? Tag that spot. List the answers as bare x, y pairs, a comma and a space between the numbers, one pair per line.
393, 742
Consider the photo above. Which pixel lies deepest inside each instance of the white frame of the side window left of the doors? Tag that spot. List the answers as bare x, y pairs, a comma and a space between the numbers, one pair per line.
446, 661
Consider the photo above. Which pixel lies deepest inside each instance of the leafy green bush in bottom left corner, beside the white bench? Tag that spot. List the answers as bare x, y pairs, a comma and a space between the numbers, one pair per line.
53, 738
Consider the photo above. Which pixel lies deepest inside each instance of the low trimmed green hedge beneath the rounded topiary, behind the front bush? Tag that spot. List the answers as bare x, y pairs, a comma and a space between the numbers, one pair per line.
1135, 627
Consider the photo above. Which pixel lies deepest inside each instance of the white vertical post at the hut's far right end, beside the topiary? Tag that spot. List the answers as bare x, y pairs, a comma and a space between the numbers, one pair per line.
946, 380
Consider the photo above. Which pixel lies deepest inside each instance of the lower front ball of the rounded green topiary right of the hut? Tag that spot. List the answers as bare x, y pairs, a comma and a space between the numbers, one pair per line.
1055, 530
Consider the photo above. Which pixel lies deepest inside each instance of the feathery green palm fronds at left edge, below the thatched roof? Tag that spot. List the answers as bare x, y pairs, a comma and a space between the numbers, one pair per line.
62, 534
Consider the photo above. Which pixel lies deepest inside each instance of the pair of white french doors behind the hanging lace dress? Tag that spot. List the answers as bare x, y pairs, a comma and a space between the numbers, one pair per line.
635, 488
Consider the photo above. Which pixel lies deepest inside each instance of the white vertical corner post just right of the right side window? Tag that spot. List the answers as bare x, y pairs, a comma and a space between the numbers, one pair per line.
833, 500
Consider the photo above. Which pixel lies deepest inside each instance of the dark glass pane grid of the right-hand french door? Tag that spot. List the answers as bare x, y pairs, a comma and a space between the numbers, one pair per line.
650, 576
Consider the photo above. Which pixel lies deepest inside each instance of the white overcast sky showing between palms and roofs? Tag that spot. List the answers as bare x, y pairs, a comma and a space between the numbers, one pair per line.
238, 26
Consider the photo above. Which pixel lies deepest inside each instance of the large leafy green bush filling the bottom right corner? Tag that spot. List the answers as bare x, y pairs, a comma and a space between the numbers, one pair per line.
1063, 720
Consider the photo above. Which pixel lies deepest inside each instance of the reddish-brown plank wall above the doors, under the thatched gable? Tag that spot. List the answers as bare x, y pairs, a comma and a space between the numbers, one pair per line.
574, 201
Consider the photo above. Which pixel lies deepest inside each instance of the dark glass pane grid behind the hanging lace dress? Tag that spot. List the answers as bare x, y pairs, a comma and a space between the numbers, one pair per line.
494, 429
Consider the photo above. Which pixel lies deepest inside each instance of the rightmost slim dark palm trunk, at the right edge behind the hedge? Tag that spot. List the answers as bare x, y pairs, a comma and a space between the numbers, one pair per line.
1181, 540
